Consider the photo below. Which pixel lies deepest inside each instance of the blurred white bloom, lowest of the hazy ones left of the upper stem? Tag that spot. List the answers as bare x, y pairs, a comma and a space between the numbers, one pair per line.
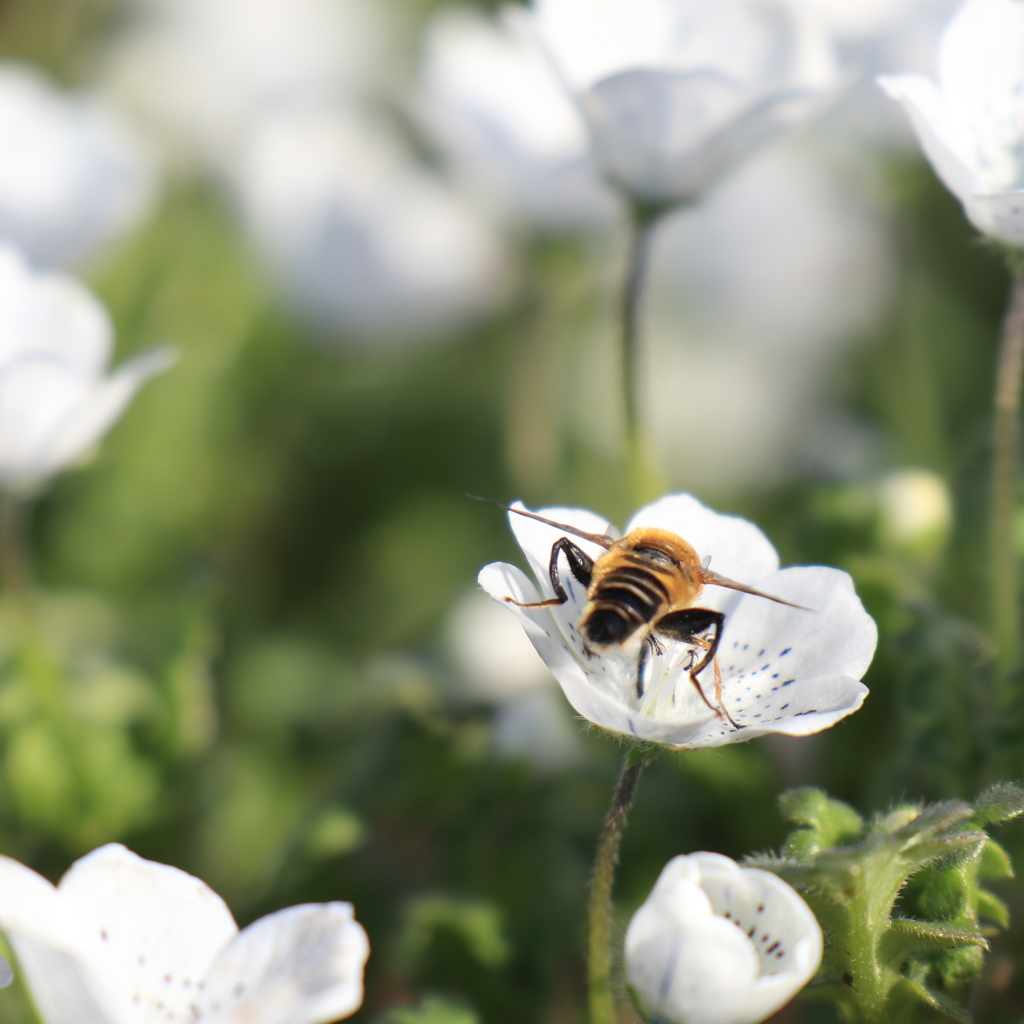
361, 238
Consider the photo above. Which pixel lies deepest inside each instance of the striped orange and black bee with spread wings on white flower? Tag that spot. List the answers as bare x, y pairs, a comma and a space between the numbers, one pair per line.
647, 585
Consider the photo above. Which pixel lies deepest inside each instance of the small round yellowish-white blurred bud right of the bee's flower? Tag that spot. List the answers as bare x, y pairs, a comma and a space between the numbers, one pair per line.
915, 509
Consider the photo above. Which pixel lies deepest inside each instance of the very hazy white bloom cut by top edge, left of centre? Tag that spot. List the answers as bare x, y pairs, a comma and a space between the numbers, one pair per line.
204, 71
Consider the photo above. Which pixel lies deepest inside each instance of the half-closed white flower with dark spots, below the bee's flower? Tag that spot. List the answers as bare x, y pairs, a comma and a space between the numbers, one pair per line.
716, 944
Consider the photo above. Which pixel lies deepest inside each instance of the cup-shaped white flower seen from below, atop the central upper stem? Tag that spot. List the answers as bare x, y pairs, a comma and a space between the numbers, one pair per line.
677, 93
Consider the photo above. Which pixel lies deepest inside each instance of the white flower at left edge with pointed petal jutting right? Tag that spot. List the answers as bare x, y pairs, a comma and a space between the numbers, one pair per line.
57, 400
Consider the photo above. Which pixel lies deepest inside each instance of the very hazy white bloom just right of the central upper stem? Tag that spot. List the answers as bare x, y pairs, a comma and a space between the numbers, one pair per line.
753, 297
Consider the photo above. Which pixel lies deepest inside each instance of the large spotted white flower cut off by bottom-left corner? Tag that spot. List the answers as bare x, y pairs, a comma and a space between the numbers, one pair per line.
122, 941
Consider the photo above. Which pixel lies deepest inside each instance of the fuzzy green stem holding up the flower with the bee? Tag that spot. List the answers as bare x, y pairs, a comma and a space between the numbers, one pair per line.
603, 1004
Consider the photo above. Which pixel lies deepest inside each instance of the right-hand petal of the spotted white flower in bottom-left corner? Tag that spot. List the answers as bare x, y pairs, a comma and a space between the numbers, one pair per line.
300, 966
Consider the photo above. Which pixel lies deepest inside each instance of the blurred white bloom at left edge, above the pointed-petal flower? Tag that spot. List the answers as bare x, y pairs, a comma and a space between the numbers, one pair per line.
73, 176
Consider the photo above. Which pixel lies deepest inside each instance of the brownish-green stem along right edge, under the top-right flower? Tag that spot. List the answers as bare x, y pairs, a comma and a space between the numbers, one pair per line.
1006, 603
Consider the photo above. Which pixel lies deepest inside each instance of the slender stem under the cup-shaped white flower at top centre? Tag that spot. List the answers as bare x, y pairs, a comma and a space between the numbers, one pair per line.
645, 479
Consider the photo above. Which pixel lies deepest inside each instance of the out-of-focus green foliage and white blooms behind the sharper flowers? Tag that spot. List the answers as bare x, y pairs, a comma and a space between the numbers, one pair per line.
373, 233
